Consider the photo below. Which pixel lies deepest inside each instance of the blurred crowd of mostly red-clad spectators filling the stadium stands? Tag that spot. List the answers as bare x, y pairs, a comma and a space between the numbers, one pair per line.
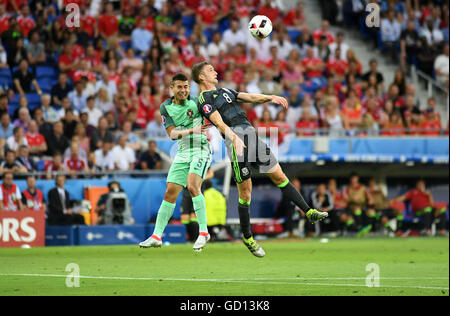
87, 98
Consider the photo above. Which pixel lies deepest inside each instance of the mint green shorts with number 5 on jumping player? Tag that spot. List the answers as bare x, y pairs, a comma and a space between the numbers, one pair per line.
179, 171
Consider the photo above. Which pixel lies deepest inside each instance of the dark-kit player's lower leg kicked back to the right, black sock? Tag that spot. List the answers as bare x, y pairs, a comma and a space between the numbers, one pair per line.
288, 189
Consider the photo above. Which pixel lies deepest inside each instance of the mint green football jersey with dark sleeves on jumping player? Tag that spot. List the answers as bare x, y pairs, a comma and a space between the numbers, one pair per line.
184, 117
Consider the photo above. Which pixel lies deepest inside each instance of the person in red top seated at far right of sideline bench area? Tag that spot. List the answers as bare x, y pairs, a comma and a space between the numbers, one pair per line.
422, 204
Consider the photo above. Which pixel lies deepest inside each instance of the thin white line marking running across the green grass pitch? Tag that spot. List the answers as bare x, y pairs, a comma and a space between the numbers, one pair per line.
227, 281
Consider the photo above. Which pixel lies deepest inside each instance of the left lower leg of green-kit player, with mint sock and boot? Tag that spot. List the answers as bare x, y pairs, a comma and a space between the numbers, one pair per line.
165, 212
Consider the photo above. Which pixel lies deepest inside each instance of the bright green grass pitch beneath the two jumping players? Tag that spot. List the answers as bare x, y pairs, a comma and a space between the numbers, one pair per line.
410, 266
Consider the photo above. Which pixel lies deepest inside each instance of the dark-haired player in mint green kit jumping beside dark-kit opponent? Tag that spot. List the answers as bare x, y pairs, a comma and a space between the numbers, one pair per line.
184, 123
